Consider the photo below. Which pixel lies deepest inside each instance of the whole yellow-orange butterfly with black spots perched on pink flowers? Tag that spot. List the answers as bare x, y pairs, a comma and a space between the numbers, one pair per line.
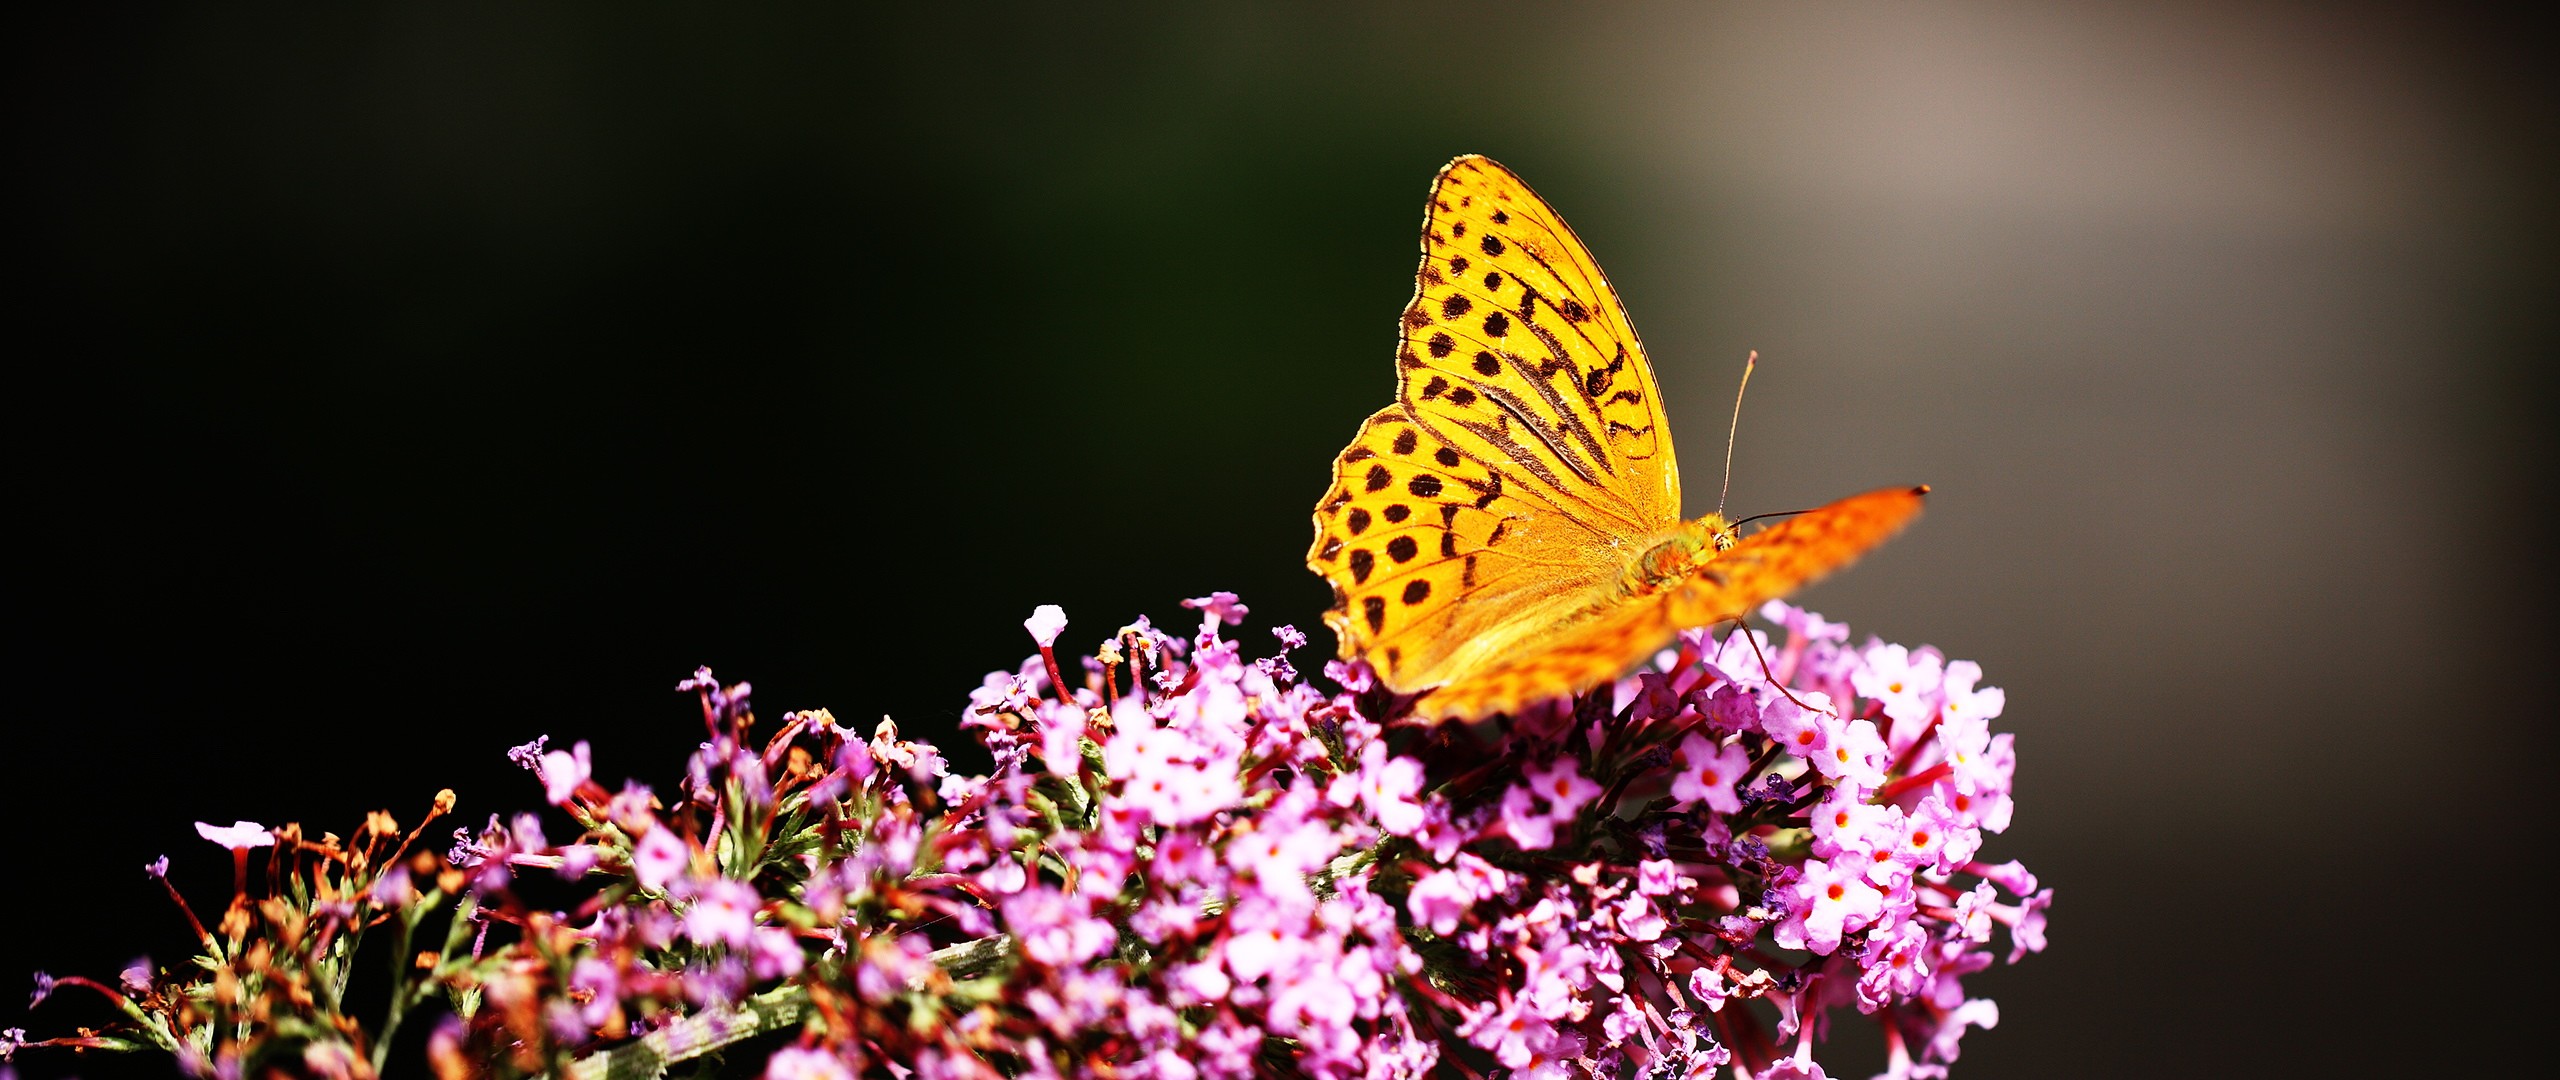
1509, 531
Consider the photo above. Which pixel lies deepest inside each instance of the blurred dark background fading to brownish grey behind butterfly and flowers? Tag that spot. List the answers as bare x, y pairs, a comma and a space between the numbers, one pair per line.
396, 388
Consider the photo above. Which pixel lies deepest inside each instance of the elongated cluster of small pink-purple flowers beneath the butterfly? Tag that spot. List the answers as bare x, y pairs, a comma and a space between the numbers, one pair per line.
1184, 864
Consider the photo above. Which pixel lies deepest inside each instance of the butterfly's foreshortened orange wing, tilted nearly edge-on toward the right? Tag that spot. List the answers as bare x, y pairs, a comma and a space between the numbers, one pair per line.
1609, 639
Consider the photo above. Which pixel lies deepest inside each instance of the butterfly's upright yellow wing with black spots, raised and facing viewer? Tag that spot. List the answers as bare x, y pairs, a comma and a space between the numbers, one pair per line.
1527, 454
